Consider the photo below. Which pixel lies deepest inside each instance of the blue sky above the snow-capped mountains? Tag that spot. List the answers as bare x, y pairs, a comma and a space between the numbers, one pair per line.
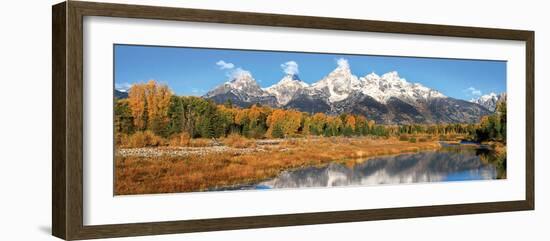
194, 71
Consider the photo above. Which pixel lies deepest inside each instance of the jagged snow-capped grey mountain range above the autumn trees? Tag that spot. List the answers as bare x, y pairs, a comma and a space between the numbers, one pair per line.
387, 99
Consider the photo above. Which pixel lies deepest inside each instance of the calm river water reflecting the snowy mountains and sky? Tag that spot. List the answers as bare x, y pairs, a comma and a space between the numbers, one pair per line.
451, 163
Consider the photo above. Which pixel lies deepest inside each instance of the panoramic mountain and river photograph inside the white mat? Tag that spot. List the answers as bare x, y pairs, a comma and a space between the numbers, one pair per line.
202, 120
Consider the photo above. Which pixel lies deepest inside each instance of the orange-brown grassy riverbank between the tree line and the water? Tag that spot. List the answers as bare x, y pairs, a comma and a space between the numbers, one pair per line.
188, 169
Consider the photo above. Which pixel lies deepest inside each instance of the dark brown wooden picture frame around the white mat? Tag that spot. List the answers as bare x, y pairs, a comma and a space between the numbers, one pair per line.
67, 123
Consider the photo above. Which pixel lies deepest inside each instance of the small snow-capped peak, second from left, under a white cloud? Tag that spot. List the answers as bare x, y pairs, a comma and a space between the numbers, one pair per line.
286, 88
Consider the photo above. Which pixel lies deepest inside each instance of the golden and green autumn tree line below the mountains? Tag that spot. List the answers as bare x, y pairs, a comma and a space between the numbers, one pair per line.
152, 107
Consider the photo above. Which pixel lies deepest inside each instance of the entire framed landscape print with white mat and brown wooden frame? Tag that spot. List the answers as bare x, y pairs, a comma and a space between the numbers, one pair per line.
171, 120
